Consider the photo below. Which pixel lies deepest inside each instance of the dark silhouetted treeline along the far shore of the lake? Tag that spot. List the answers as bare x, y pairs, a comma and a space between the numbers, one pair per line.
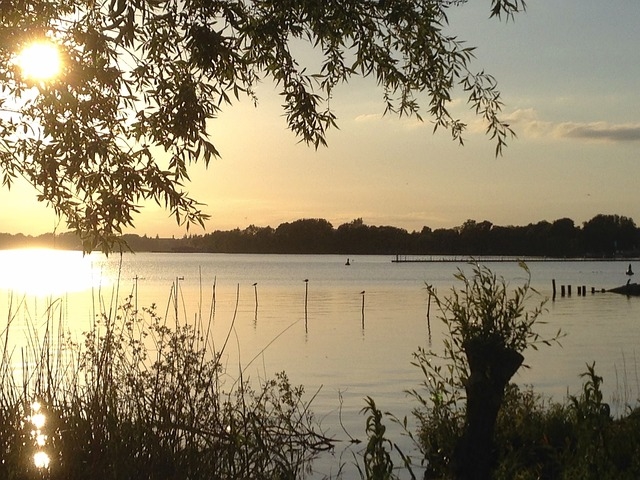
605, 236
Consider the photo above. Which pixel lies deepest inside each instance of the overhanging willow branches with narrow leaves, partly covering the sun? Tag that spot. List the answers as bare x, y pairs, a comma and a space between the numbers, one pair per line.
142, 78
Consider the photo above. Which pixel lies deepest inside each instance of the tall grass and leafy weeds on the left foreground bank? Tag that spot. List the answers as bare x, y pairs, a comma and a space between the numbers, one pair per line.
137, 396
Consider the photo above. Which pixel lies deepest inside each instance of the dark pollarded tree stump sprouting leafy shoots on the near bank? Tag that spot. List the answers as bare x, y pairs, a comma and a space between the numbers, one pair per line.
488, 328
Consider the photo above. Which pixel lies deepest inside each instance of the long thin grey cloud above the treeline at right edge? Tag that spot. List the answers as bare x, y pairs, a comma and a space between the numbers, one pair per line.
526, 122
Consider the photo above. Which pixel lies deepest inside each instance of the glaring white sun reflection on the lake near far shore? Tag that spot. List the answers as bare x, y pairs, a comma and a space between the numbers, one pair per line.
43, 272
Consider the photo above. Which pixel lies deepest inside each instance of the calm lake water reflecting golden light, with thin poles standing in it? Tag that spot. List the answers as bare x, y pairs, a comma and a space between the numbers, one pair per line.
318, 331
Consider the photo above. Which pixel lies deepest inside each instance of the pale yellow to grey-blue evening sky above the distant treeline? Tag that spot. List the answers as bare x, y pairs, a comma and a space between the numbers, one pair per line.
569, 74
